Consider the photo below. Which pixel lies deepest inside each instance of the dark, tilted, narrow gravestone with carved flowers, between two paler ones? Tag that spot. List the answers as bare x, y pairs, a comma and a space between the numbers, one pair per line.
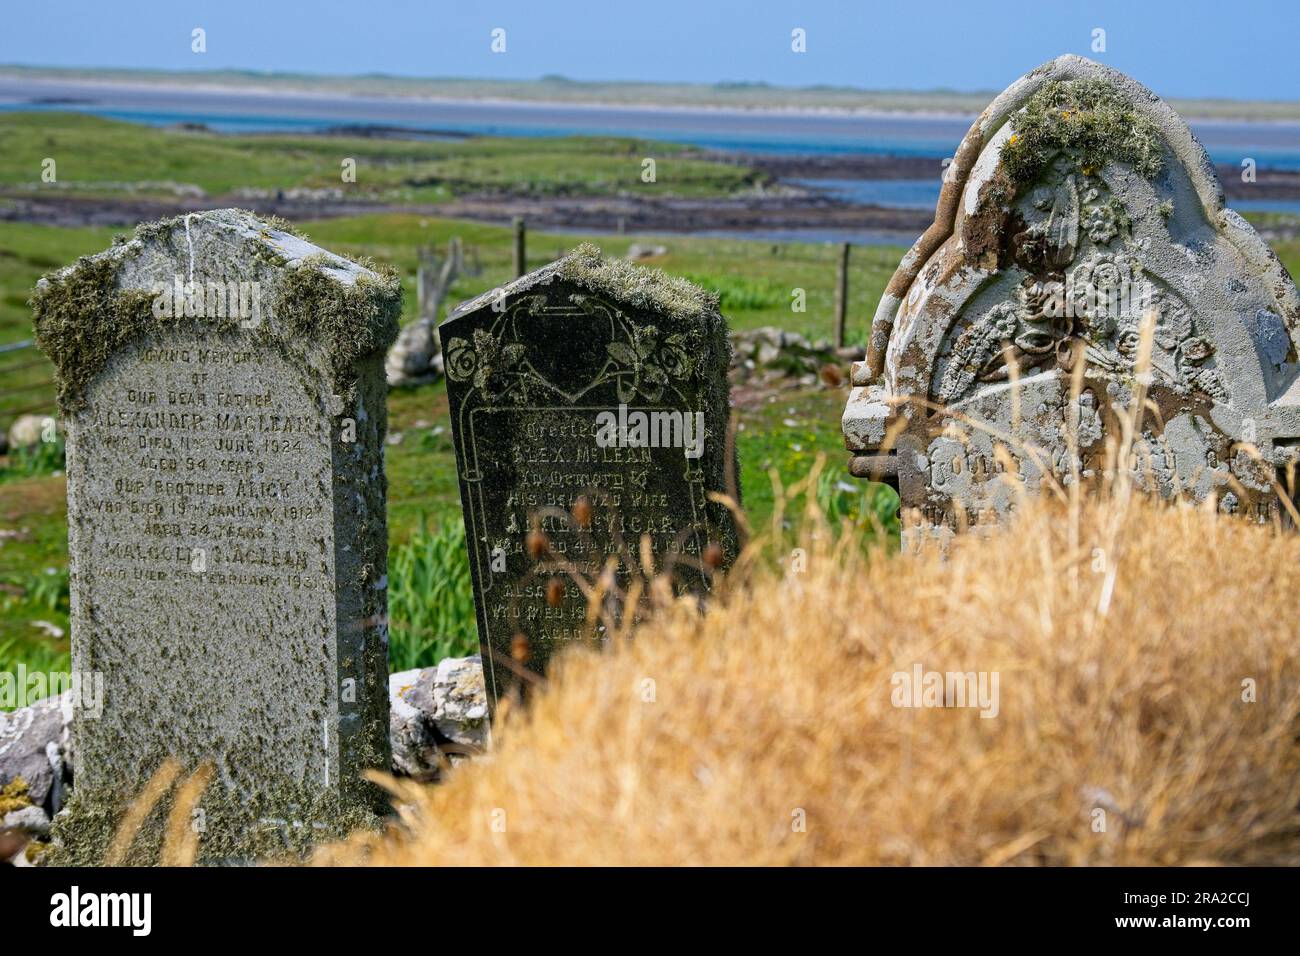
590, 410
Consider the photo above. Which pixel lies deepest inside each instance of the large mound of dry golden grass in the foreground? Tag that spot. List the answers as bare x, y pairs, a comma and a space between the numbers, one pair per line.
775, 706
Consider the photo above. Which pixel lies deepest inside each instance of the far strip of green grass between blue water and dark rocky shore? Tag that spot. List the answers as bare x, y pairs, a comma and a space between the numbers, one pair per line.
97, 157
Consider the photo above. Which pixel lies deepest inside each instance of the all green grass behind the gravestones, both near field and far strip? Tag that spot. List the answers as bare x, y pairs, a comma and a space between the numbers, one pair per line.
781, 436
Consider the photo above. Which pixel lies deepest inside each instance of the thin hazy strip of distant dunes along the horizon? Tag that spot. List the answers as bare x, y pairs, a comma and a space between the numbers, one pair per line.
564, 90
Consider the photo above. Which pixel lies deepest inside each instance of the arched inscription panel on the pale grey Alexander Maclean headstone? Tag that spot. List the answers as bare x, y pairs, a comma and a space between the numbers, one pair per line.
201, 492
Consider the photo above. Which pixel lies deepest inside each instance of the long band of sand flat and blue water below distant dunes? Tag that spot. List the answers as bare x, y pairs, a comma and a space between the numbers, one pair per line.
777, 129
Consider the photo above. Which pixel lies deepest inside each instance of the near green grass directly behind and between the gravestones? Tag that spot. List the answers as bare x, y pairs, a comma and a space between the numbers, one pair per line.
756, 282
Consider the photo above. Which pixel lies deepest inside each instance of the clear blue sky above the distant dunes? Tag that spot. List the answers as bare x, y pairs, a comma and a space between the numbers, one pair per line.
1240, 49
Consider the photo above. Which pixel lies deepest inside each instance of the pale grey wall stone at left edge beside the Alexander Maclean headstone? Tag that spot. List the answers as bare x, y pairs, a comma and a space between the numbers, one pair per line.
36, 745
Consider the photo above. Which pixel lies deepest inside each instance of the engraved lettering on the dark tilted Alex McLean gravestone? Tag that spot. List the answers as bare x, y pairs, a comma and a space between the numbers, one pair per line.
548, 460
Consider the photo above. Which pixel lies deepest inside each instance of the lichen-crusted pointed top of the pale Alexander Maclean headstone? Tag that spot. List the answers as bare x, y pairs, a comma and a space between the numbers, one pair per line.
226, 271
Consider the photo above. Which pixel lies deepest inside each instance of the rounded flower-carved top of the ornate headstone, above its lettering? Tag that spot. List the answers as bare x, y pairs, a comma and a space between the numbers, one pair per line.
1080, 181
